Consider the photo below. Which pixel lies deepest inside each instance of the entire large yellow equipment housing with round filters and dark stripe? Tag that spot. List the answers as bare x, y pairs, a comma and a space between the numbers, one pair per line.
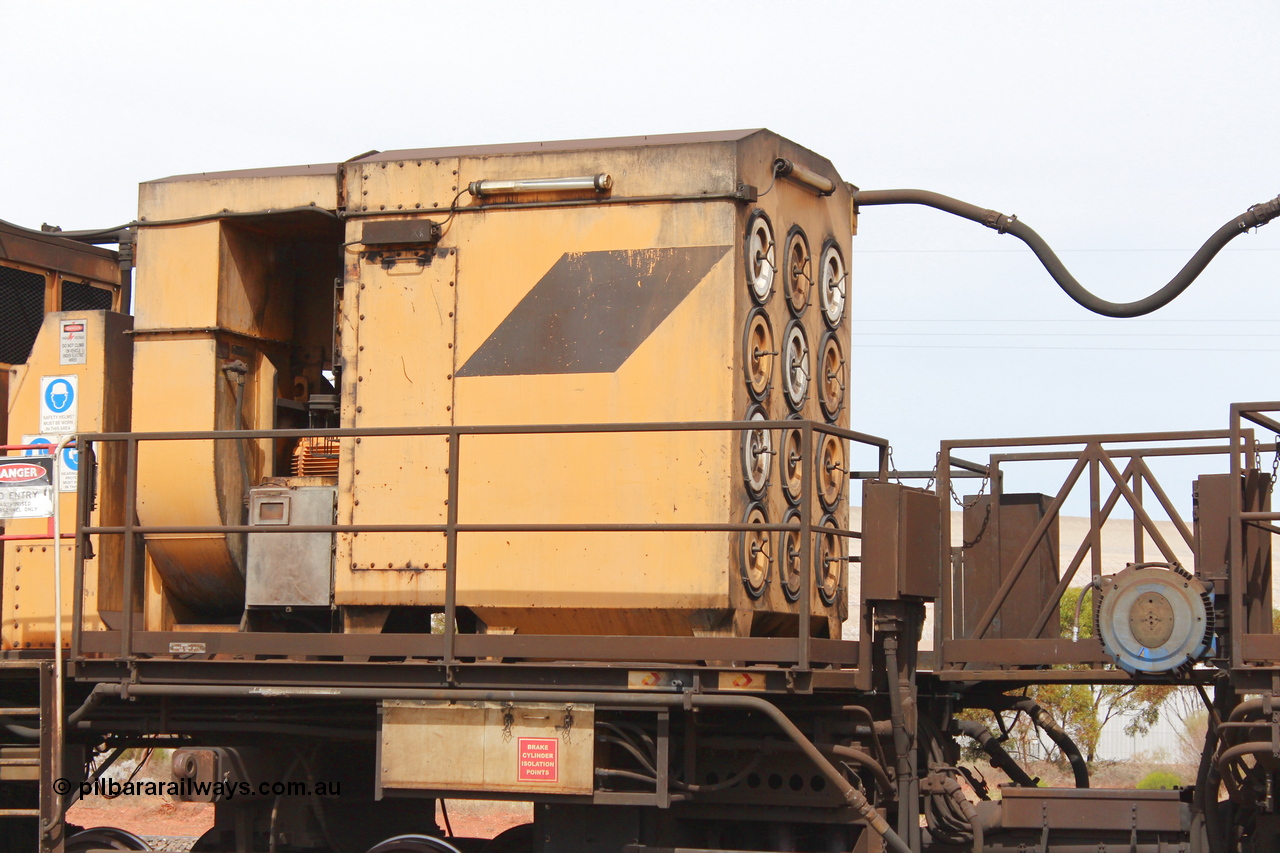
685, 279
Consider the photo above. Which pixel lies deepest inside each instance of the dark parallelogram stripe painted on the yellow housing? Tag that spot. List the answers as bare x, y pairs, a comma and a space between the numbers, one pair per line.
592, 311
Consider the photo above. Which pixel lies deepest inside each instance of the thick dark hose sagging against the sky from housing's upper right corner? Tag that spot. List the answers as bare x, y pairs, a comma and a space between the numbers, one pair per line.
1255, 217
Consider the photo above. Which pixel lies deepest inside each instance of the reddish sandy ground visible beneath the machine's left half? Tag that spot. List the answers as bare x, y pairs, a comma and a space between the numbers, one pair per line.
157, 816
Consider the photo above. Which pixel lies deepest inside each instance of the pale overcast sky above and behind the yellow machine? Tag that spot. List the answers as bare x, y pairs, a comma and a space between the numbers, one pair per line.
1126, 134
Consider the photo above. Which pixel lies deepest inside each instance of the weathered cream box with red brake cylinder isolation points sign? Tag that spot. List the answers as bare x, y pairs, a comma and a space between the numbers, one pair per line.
525, 747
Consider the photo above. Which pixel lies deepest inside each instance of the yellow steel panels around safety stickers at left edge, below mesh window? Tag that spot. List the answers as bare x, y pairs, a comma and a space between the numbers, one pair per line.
103, 404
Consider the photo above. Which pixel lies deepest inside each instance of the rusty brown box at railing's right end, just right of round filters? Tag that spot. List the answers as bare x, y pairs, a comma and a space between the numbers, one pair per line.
900, 542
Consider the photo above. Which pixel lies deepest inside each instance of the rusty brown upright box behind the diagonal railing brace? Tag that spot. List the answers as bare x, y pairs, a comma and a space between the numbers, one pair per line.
999, 532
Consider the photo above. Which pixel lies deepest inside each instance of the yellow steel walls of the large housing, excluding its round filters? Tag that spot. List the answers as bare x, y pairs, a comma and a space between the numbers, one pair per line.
412, 336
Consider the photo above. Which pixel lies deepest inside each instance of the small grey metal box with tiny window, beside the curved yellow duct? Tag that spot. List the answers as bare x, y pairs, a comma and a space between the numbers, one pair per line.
290, 569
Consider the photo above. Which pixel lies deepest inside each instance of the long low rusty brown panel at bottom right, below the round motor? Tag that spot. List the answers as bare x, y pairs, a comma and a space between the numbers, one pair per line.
1095, 809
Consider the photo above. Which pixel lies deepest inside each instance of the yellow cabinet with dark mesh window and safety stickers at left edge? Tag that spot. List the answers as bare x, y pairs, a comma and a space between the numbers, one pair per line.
61, 343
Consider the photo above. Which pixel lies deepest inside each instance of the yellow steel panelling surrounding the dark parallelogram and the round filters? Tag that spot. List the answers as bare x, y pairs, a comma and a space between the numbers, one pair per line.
688, 370
